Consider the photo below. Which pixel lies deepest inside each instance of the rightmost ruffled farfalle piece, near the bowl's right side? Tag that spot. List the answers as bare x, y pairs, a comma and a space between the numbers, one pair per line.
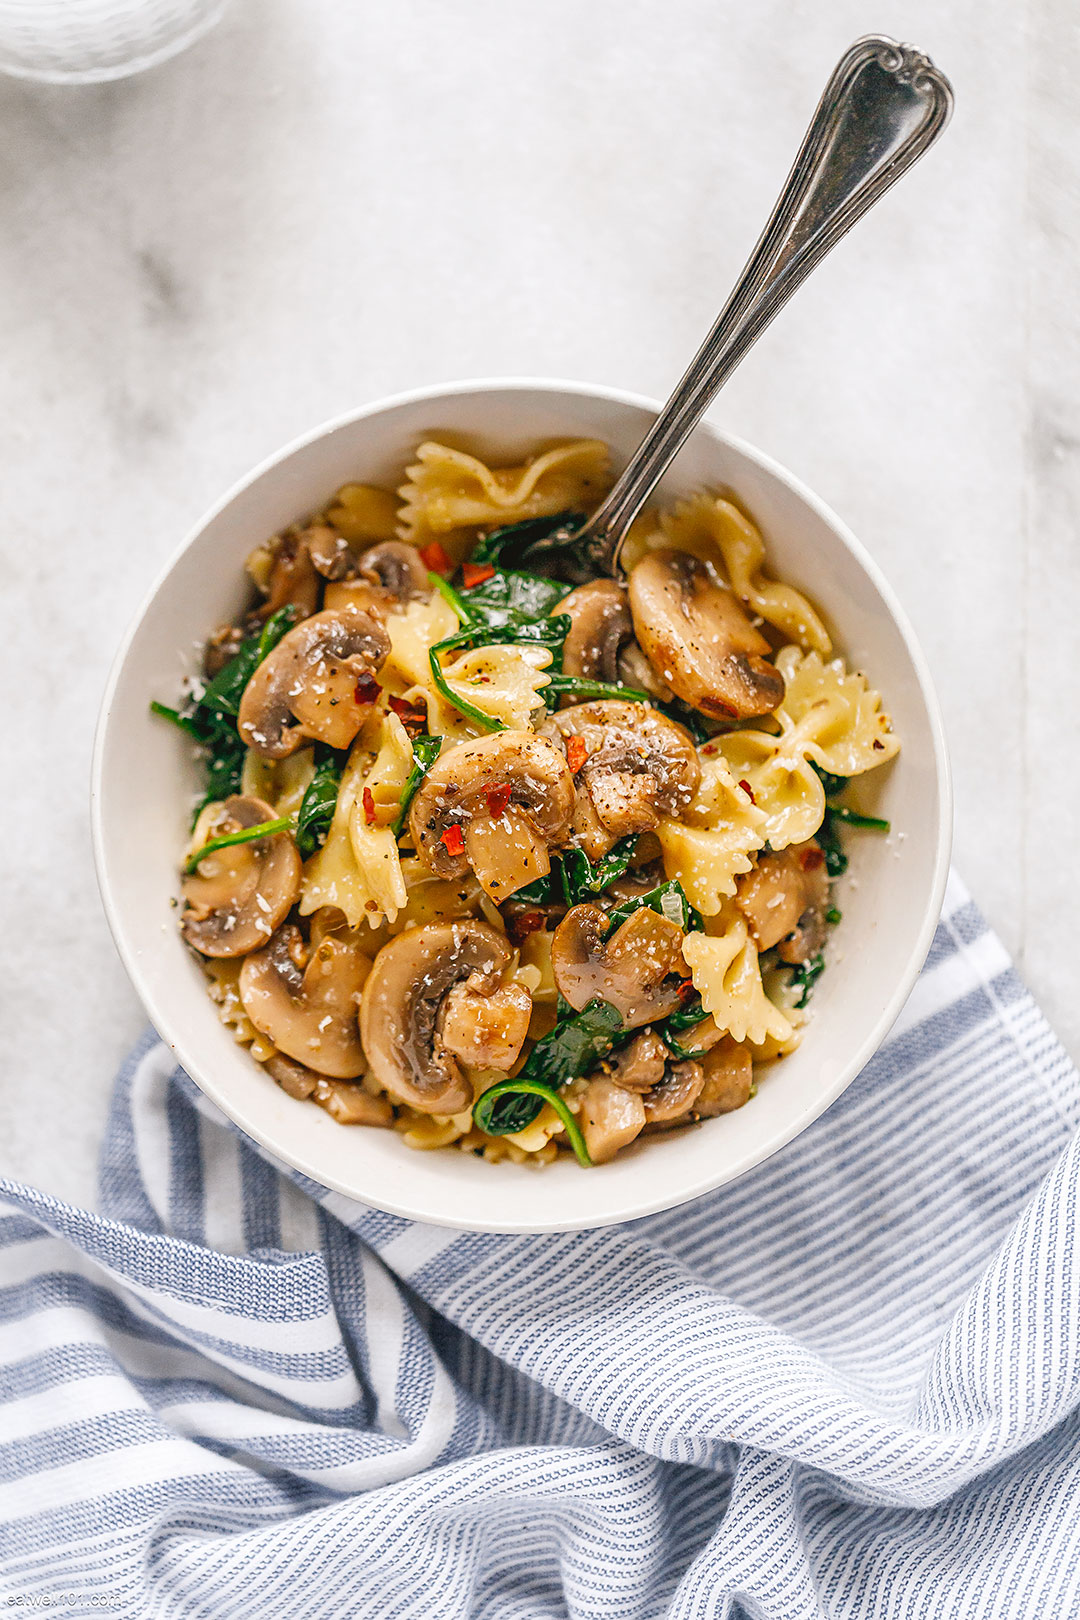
836, 714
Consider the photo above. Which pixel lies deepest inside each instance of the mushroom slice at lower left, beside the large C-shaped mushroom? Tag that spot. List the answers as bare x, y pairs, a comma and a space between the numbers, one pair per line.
307, 1000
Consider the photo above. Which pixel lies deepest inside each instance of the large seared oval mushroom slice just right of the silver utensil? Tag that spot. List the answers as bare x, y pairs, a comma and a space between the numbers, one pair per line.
700, 641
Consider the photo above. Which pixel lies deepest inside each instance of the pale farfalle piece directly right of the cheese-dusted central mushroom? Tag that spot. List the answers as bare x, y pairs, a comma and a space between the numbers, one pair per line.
712, 846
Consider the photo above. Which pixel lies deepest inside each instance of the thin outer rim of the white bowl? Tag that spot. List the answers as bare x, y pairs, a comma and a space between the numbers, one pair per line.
943, 775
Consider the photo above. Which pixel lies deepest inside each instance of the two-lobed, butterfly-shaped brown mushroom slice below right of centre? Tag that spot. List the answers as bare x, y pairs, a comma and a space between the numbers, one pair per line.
637, 970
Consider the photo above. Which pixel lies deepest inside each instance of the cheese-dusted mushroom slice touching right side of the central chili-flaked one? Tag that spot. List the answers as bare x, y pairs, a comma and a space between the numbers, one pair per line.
639, 767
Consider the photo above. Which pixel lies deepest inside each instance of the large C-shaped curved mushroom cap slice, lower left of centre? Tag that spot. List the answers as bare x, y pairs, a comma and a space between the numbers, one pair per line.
404, 1010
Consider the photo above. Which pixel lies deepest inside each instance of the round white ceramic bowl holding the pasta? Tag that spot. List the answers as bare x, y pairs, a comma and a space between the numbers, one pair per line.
145, 777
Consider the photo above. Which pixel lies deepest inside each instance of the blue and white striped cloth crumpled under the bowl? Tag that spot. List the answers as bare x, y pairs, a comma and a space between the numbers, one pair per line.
846, 1386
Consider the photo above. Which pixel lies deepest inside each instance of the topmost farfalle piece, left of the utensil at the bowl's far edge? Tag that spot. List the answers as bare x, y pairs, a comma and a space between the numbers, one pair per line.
449, 493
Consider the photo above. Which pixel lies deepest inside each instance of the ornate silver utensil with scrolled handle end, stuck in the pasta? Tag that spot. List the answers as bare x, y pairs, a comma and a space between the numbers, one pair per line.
883, 108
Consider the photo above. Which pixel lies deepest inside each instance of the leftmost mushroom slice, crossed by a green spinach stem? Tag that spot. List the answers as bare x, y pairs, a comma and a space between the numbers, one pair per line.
239, 895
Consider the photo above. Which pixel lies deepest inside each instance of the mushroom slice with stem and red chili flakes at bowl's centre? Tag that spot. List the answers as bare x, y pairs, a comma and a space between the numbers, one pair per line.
509, 796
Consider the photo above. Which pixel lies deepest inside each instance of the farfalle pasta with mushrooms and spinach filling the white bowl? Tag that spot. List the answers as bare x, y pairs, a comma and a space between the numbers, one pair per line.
508, 866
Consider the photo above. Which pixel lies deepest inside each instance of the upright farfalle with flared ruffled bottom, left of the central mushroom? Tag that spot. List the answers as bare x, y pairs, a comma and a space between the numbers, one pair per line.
359, 869
